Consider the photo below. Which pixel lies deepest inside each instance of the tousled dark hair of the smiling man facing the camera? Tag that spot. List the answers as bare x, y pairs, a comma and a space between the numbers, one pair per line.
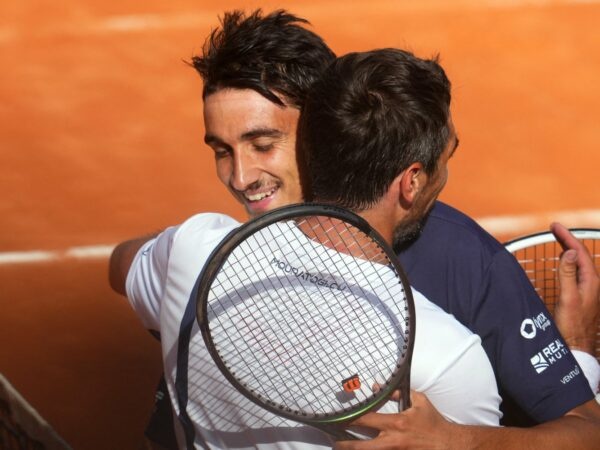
273, 55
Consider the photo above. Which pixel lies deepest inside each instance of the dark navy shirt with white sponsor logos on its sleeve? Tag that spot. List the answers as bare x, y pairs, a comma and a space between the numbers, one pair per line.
463, 269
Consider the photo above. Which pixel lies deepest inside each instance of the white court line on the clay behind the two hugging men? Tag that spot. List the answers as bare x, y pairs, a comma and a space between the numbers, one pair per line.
497, 225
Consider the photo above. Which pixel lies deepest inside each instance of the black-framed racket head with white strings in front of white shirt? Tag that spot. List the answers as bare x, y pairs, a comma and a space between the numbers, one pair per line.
296, 314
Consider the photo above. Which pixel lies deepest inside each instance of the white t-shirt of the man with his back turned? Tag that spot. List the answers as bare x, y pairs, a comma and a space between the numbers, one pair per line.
449, 364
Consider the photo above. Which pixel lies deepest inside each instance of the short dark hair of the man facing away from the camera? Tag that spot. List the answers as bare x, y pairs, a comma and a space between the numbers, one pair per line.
367, 119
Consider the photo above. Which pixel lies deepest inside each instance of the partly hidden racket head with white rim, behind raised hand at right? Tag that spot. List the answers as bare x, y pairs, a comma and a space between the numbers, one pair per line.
539, 256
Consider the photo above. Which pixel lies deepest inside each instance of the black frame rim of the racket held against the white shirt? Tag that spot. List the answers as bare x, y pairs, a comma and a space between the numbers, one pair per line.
217, 258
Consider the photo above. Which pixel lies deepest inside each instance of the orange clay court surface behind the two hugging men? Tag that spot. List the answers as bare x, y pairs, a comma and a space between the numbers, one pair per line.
101, 139
